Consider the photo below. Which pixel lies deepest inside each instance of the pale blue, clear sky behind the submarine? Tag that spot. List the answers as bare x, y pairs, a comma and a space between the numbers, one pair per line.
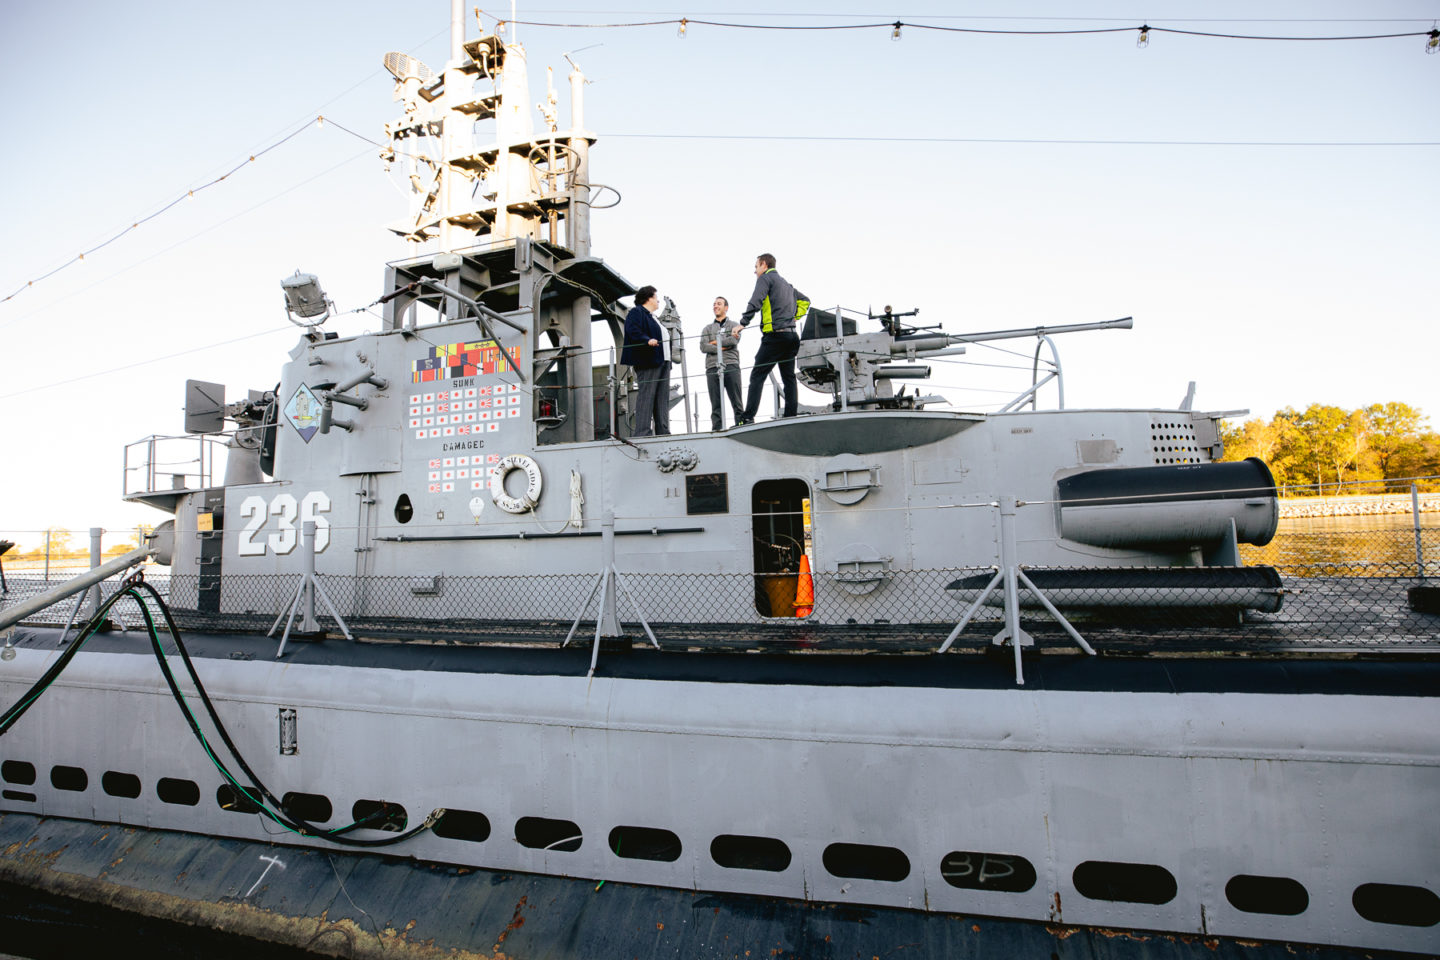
1265, 211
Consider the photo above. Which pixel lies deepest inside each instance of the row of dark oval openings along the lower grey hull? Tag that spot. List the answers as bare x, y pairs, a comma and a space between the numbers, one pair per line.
968, 870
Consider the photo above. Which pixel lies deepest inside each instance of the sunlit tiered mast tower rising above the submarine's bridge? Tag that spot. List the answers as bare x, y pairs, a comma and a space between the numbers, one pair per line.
502, 207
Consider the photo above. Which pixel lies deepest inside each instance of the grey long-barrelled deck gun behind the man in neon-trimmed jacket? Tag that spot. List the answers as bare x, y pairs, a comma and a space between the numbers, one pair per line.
859, 371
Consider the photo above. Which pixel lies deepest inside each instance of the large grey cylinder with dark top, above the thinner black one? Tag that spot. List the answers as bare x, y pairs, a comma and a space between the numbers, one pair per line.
1170, 506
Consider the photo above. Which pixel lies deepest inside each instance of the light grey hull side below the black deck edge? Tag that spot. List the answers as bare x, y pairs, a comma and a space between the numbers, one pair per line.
1323, 789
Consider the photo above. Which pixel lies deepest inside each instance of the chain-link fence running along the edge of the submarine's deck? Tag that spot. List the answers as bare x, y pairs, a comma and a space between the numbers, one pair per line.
1321, 584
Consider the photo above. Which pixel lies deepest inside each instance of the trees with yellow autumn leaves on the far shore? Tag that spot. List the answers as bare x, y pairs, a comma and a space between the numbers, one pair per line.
1317, 450
